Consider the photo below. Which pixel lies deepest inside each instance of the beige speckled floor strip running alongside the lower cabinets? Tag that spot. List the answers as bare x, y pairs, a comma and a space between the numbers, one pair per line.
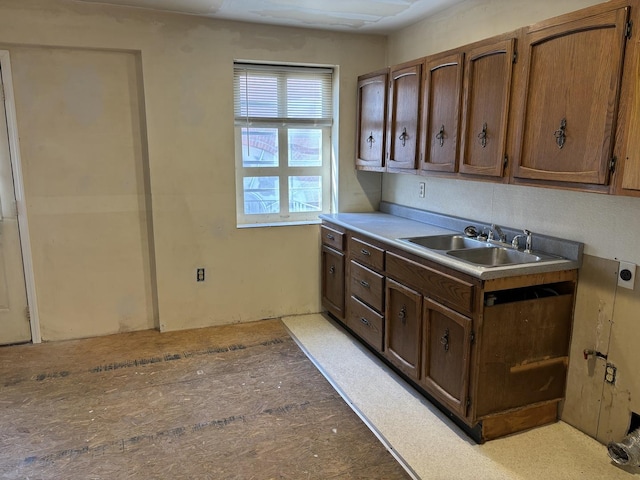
429, 444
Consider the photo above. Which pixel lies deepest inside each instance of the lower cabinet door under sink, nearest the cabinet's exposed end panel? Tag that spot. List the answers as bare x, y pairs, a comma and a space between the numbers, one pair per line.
447, 339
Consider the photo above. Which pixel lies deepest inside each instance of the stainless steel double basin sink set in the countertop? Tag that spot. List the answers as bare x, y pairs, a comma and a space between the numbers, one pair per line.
478, 252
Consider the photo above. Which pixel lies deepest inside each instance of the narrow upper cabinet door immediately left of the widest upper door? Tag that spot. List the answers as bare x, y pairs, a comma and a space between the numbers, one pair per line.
487, 92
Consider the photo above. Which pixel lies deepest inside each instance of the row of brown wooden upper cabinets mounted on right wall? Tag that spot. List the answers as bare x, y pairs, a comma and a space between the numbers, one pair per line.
554, 104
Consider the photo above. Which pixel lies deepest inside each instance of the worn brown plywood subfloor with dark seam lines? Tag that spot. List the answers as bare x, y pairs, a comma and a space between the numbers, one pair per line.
234, 402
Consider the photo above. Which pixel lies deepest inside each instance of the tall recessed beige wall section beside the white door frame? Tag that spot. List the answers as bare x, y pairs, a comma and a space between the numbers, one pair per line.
79, 118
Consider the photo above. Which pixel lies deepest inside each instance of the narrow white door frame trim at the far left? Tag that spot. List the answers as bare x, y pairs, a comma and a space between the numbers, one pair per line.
18, 184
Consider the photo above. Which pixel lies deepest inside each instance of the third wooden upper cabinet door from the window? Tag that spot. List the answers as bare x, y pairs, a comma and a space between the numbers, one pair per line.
442, 95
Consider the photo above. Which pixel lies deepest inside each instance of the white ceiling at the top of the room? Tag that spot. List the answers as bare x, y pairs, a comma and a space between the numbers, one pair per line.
359, 16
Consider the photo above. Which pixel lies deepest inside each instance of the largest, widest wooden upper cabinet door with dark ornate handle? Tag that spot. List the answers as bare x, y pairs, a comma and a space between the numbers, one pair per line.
573, 72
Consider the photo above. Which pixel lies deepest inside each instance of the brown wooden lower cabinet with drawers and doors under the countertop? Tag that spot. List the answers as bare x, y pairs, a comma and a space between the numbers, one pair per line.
492, 354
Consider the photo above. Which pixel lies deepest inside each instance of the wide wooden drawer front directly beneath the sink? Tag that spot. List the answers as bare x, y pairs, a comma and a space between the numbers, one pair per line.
451, 291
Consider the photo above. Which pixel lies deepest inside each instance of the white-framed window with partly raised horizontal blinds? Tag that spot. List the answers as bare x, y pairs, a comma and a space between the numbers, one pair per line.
283, 121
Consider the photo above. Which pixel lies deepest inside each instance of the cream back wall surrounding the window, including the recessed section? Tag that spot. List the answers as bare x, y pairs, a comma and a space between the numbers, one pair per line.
183, 76
